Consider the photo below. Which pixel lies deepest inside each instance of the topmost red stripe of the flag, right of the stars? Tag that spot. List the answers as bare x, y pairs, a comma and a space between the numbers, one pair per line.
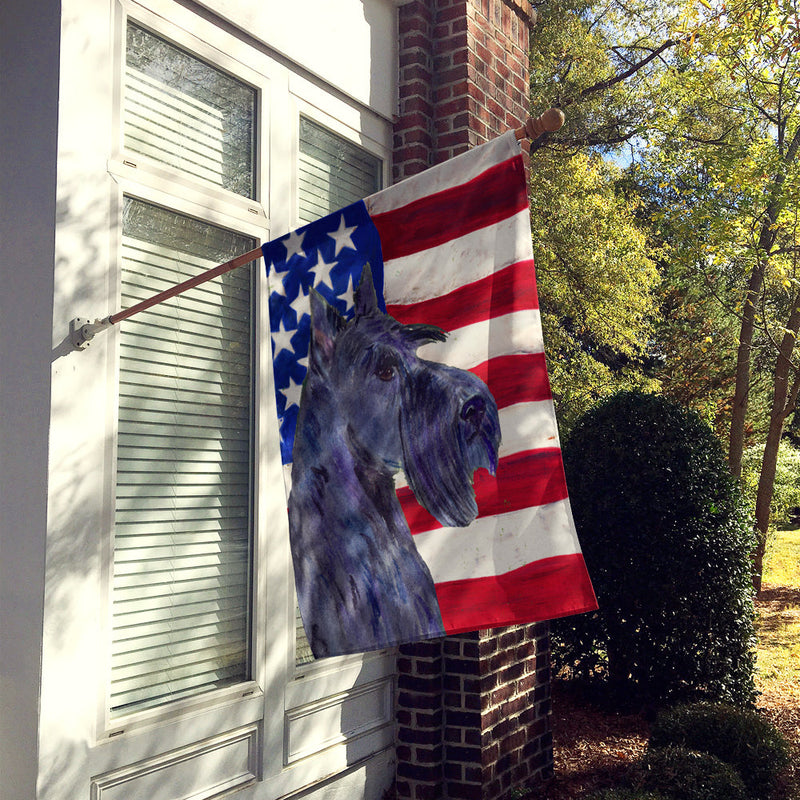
496, 194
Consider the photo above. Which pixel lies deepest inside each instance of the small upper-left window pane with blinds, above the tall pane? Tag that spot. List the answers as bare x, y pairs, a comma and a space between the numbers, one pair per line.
182, 112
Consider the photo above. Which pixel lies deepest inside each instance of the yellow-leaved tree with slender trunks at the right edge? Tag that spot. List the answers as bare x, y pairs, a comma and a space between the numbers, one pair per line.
724, 155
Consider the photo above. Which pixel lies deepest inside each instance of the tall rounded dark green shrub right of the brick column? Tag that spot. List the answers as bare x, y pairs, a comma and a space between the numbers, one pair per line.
666, 539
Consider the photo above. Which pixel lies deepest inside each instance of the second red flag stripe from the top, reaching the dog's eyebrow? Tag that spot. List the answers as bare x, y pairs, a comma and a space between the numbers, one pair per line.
510, 289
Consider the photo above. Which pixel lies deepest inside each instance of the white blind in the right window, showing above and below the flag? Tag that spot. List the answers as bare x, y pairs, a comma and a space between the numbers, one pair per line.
332, 173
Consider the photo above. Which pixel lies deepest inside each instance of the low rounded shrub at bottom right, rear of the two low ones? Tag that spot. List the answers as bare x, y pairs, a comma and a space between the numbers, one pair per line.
743, 739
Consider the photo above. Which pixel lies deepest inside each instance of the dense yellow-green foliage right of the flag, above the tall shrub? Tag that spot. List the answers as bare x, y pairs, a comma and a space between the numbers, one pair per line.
596, 282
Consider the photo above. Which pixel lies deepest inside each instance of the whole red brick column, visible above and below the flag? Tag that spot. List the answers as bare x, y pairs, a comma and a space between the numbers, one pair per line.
473, 711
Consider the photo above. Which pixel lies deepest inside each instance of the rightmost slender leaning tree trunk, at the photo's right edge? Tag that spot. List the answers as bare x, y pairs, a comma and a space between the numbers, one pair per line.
784, 398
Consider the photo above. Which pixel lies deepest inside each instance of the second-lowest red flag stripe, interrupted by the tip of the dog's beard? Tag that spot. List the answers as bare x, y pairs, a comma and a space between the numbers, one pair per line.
524, 479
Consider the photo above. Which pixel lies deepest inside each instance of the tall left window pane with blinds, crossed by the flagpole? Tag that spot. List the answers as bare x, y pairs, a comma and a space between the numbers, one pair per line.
182, 541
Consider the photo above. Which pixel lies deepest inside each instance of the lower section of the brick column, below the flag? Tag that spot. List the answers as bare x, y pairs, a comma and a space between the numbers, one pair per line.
473, 714
